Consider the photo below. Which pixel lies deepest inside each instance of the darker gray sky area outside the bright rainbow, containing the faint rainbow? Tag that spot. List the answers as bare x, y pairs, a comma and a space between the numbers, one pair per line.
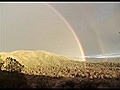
96, 24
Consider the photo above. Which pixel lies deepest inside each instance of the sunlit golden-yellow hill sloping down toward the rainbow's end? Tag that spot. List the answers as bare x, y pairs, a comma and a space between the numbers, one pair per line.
34, 61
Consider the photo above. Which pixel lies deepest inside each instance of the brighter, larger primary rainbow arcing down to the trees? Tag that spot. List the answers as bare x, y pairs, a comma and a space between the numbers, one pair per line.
73, 32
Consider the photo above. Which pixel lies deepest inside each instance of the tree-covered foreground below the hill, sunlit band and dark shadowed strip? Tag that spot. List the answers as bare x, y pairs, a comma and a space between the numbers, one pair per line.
59, 73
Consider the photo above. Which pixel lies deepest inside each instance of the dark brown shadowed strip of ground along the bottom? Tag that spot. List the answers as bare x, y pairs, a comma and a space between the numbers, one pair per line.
19, 80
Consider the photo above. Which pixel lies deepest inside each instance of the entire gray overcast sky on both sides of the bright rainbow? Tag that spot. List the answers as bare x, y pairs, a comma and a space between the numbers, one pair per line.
39, 27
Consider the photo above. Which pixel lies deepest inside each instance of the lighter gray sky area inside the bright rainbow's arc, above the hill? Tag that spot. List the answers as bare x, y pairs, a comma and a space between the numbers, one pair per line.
35, 27
